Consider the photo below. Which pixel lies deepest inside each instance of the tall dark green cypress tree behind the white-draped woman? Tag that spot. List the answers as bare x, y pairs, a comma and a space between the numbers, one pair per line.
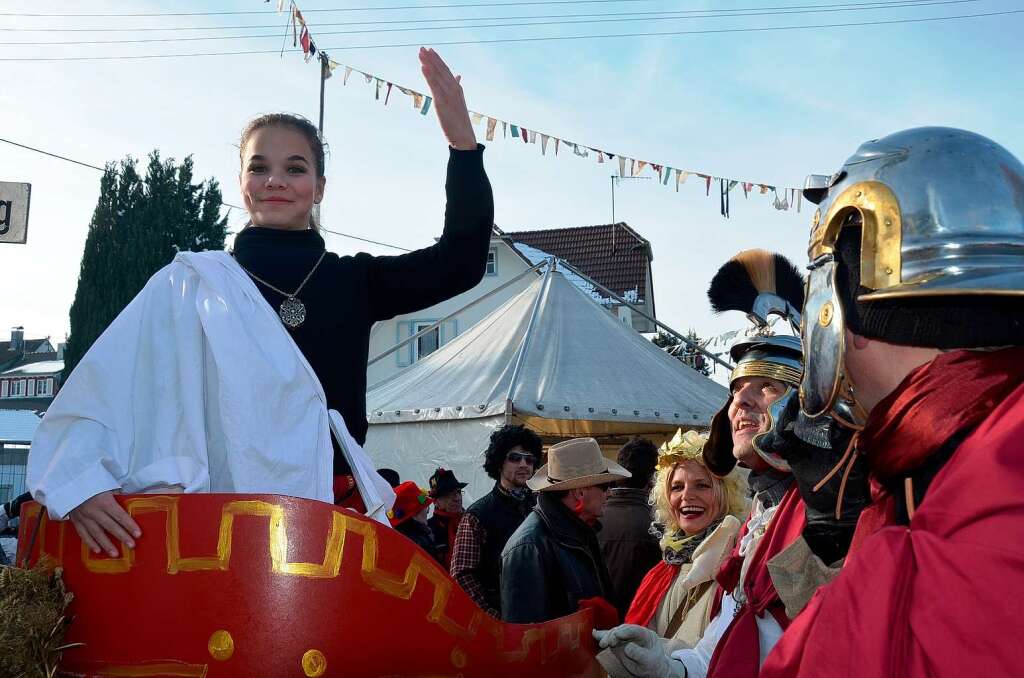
137, 229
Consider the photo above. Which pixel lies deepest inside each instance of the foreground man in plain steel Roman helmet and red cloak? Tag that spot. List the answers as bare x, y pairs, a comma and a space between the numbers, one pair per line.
916, 315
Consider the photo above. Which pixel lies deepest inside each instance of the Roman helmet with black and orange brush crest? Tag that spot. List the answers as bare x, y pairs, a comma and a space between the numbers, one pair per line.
761, 284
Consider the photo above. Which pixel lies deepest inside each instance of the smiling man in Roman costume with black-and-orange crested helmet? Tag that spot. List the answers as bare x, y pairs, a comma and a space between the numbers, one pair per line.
751, 611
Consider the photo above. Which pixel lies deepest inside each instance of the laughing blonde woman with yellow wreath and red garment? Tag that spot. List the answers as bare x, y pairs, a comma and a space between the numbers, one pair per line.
699, 513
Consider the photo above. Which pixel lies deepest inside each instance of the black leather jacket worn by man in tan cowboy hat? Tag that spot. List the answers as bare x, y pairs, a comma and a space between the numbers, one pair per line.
550, 565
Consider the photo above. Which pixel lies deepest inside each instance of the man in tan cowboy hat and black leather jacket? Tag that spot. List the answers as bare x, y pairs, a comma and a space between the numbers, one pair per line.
553, 562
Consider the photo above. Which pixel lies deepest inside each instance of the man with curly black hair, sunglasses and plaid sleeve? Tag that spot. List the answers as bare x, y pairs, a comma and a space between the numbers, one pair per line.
488, 525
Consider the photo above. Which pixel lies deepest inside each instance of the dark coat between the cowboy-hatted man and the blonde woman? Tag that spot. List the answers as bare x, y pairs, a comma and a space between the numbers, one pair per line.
629, 548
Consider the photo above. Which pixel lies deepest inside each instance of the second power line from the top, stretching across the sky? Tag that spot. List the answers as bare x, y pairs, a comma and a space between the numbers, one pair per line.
879, 5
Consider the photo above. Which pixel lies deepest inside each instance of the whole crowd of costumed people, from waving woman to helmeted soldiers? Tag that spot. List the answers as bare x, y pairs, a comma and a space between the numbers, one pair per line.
855, 510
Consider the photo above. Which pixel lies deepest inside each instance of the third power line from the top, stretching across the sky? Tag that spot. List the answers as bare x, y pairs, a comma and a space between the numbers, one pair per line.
908, 5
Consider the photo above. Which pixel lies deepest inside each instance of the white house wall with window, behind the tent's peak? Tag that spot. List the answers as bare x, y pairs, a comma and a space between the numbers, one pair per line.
386, 334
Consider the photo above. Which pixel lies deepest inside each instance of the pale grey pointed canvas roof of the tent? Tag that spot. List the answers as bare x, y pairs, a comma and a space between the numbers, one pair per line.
577, 364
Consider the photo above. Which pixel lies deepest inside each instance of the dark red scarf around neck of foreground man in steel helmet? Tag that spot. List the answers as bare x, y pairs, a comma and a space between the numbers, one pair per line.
954, 393
